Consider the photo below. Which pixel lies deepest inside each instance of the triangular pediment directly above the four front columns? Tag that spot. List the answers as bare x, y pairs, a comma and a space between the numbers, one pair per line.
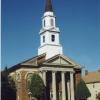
61, 60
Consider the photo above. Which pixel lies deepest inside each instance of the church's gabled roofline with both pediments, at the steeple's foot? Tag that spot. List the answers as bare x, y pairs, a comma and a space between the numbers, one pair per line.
39, 61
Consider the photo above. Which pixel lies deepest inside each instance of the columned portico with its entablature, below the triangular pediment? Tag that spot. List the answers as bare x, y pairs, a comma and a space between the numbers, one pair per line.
66, 86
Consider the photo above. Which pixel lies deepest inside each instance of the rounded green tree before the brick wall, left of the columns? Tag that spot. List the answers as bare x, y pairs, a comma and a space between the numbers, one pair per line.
36, 86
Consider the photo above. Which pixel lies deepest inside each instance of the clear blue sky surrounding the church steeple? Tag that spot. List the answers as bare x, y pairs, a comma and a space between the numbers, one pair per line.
78, 20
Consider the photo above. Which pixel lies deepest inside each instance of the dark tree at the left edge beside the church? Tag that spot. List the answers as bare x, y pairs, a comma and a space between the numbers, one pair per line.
8, 91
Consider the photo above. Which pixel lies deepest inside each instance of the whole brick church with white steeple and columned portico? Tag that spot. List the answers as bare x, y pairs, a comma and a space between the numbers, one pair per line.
60, 74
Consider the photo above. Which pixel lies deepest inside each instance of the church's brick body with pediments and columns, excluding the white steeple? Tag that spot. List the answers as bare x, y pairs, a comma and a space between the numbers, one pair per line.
59, 73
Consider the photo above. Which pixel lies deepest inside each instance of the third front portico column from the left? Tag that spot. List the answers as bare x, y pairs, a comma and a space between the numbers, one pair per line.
63, 86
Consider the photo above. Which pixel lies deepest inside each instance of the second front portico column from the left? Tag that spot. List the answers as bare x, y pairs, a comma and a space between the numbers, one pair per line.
54, 85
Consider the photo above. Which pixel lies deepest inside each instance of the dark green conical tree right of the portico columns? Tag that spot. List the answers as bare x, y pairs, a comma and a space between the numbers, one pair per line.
82, 92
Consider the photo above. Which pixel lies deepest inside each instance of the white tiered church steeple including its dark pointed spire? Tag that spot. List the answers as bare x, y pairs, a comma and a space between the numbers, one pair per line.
49, 34
